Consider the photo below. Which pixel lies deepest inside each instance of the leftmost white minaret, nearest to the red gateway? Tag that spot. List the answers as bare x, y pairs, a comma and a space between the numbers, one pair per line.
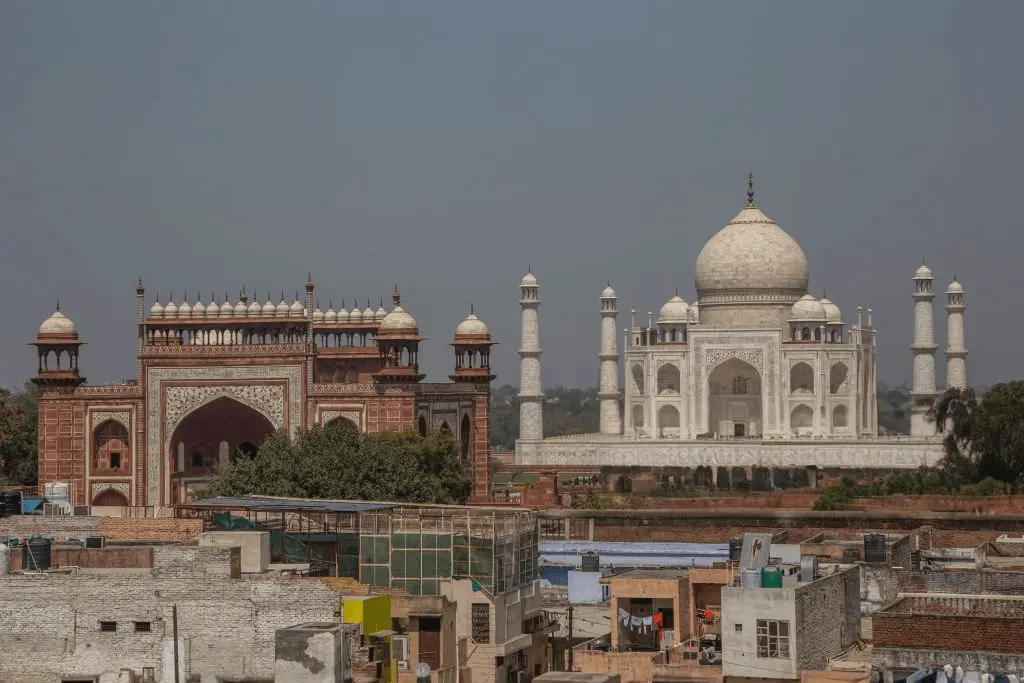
531, 394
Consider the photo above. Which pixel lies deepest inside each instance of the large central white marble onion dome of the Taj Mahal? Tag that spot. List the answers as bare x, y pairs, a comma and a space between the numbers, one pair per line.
752, 259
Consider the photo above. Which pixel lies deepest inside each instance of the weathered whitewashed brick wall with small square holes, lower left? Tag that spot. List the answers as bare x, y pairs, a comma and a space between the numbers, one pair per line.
52, 630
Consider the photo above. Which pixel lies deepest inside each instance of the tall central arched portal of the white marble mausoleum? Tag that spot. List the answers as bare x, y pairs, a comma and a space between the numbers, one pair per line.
735, 400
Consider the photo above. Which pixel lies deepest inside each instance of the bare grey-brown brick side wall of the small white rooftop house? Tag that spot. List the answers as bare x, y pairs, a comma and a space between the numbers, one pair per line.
828, 618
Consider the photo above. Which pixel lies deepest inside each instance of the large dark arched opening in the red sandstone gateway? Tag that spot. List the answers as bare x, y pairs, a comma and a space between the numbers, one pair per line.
204, 442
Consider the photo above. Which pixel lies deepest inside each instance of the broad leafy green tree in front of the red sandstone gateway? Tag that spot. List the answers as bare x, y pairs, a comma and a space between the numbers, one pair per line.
337, 463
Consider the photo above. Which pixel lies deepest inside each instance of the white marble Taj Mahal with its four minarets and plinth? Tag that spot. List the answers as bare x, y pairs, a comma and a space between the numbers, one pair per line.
757, 372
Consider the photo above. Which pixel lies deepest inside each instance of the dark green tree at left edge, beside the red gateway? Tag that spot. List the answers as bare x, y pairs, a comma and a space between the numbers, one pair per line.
19, 437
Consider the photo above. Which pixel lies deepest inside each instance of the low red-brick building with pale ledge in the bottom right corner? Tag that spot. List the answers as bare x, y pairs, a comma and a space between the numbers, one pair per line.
980, 633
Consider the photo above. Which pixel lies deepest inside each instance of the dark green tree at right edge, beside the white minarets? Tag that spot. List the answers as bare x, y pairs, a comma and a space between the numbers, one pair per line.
984, 439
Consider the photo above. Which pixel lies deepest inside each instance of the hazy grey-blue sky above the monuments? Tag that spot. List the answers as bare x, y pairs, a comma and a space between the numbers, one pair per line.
446, 147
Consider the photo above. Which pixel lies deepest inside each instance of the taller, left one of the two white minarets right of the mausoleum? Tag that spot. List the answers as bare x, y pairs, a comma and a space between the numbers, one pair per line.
923, 390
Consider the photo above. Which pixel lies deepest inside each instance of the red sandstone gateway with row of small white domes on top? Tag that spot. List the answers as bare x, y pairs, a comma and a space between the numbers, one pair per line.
214, 380
